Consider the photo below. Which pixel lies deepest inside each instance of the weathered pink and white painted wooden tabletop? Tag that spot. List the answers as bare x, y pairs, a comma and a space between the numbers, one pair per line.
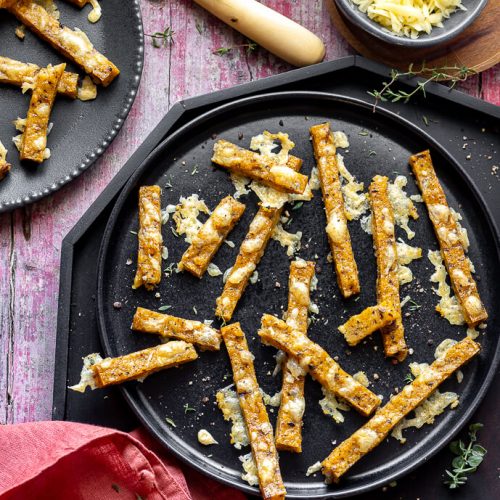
30, 238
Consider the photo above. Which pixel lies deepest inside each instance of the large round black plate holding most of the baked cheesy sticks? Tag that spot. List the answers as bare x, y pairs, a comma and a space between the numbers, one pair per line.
172, 166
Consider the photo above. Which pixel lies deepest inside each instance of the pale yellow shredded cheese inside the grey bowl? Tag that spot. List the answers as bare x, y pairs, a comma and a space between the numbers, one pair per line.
409, 18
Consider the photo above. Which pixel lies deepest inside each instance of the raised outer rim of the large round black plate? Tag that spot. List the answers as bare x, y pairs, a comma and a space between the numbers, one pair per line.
136, 405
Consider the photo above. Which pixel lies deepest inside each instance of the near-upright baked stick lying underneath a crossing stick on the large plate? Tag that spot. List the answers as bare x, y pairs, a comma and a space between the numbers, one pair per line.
291, 411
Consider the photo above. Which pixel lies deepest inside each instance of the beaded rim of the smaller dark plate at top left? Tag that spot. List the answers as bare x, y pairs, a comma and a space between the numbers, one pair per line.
98, 151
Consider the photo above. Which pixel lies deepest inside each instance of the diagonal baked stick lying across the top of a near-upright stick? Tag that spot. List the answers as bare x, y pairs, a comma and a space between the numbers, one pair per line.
314, 359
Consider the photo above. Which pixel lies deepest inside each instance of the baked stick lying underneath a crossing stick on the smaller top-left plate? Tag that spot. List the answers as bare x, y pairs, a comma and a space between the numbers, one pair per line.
17, 73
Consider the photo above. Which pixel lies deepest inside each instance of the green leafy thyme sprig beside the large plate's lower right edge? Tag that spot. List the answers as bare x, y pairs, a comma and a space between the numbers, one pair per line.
467, 459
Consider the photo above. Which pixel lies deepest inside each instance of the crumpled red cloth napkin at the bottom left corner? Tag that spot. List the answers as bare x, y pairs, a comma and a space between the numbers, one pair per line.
65, 460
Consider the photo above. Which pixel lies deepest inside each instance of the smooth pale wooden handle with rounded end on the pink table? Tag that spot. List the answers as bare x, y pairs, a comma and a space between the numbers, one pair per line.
269, 29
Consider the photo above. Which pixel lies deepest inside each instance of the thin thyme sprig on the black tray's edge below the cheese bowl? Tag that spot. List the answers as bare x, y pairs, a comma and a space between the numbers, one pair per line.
454, 74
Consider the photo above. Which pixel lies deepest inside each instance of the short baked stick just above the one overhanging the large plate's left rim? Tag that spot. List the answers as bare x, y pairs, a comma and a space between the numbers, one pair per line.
194, 332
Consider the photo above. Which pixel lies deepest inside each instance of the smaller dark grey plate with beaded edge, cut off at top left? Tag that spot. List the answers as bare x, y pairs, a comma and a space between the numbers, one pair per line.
82, 130
